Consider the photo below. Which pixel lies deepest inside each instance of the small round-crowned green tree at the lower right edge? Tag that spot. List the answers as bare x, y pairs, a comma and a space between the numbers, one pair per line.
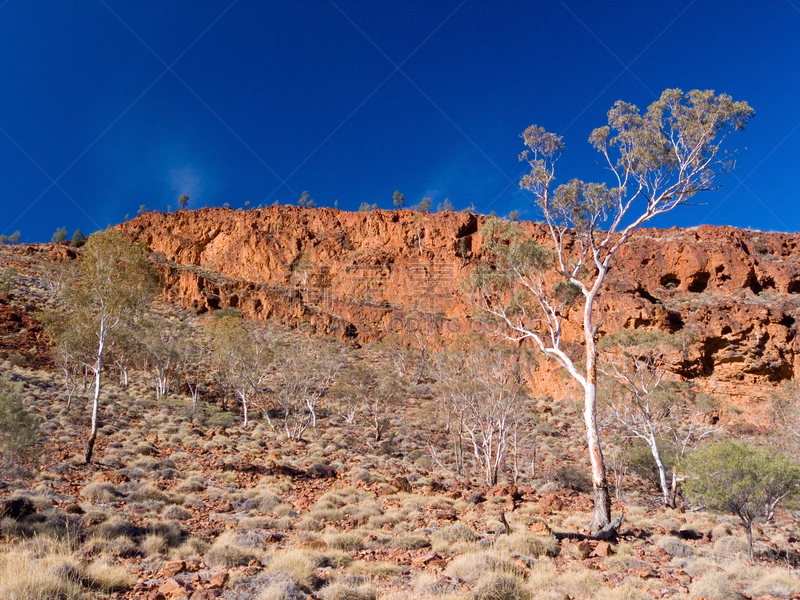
746, 481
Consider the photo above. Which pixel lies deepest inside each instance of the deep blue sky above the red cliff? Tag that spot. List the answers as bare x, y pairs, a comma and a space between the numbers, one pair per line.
107, 105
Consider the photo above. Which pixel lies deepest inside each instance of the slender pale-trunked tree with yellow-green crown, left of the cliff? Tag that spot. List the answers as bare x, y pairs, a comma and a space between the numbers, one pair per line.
112, 286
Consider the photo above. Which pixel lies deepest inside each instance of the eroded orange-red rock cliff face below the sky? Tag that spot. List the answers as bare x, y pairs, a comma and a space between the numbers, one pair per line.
364, 275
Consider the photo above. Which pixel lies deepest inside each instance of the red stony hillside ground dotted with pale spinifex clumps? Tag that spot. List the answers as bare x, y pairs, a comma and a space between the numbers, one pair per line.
184, 503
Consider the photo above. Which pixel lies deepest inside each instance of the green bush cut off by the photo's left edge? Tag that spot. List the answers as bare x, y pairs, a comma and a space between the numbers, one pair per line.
19, 430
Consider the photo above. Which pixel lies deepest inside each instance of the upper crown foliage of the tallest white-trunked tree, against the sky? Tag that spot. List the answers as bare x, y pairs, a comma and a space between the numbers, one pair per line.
667, 155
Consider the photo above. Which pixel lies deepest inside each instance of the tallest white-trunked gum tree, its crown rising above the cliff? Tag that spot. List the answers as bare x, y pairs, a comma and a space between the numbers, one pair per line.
656, 161
